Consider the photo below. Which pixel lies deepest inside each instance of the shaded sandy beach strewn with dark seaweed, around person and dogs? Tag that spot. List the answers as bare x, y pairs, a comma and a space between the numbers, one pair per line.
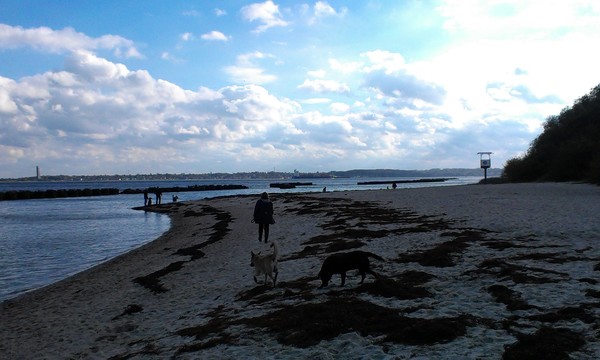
474, 272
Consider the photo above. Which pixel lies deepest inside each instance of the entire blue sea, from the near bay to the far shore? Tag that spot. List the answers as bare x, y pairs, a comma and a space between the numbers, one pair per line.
43, 241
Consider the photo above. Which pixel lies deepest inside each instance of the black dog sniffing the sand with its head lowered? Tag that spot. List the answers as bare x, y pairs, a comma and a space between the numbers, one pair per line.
342, 262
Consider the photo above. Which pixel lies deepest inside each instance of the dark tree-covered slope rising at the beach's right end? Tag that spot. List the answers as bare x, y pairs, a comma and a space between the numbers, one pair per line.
568, 149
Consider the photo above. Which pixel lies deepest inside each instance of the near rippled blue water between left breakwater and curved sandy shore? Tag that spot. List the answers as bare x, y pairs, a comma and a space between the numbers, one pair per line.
43, 241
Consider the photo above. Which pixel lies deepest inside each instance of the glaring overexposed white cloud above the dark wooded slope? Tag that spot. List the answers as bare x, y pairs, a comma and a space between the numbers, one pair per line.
493, 40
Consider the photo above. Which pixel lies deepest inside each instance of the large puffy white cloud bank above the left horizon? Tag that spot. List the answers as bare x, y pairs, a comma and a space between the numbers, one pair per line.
125, 116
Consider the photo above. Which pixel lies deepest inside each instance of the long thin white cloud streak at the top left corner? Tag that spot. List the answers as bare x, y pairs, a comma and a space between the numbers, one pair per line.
66, 40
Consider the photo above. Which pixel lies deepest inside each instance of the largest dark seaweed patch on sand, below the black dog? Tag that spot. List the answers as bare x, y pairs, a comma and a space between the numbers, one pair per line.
307, 324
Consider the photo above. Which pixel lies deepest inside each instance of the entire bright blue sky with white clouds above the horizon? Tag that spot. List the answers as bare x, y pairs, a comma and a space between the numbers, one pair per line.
137, 86
